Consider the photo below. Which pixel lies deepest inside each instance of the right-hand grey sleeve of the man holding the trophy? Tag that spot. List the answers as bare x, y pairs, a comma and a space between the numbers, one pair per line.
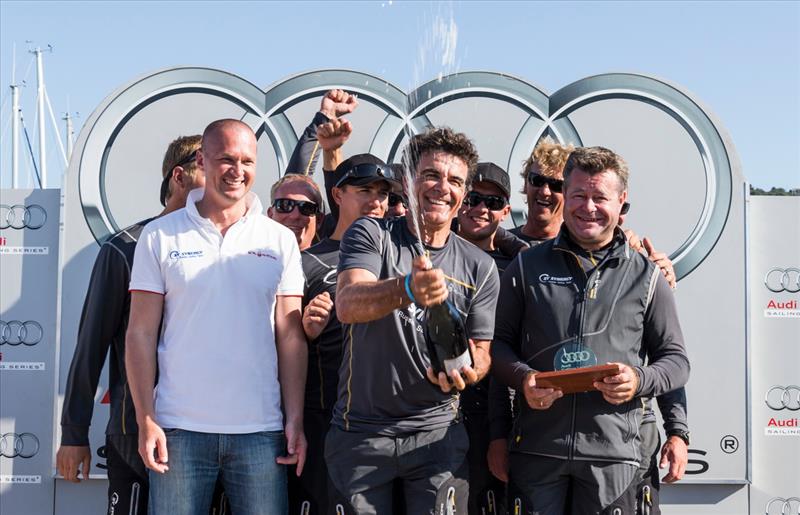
668, 364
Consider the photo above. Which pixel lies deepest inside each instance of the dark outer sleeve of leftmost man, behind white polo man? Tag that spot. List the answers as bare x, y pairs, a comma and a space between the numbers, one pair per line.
102, 317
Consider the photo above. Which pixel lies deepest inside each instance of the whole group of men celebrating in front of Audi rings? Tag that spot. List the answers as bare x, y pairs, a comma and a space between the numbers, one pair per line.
273, 361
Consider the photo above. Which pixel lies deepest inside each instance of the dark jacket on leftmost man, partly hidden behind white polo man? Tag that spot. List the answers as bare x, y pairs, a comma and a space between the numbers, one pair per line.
103, 324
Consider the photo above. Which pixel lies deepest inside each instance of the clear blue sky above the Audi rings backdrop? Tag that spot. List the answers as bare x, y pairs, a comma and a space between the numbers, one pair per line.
741, 59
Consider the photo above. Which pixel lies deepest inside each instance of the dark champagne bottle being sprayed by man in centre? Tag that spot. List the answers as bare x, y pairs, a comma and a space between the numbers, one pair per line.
446, 338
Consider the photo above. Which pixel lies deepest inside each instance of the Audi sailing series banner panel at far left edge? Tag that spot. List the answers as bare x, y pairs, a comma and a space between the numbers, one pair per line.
29, 273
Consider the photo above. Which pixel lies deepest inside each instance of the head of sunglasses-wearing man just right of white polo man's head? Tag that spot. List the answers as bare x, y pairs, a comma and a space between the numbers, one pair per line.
297, 204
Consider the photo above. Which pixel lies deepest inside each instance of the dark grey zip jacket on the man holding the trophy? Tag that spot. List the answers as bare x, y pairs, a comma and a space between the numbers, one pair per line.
622, 310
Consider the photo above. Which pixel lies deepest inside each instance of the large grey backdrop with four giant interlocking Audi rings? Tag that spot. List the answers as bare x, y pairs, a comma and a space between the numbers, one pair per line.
679, 155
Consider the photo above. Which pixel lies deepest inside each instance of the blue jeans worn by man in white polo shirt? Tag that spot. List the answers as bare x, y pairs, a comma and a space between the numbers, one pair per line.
245, 463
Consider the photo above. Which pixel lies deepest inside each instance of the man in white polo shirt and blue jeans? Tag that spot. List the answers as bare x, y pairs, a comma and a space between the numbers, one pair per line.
228, 283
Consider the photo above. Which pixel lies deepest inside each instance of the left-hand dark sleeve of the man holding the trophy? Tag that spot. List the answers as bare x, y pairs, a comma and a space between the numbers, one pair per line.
507, 365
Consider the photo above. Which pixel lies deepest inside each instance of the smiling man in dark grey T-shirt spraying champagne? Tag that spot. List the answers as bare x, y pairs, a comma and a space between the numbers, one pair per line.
390, 421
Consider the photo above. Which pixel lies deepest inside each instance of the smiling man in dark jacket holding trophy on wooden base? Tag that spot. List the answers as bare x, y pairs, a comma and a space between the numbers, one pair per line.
554, 306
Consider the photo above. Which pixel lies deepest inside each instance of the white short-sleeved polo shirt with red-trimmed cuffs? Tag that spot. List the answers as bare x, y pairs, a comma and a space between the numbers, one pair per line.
217, 360
